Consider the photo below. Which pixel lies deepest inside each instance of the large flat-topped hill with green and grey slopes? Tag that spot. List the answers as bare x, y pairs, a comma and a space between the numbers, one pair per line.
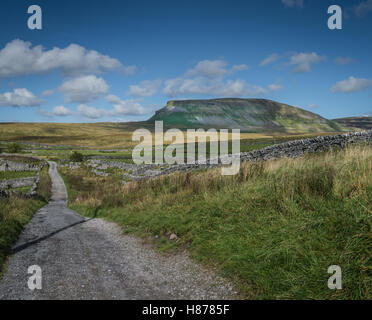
249, 115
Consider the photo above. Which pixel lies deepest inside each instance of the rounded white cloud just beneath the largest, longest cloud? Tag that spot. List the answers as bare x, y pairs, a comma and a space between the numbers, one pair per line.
84, 89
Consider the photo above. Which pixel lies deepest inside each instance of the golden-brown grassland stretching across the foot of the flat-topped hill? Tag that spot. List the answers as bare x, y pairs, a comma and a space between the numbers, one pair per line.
58, 141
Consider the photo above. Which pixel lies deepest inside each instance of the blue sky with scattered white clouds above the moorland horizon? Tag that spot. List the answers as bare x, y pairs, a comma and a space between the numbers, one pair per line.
96, 61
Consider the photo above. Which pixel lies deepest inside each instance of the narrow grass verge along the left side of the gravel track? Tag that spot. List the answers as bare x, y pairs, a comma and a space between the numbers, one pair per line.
17, 211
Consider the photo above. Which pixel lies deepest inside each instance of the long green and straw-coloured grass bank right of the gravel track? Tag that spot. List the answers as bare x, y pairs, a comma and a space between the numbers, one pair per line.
274, 228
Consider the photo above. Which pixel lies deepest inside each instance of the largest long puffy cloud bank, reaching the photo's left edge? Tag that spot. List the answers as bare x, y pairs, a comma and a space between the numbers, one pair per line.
19, 58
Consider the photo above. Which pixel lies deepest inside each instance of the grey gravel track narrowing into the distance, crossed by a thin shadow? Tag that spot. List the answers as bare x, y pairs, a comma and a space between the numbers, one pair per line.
91, 259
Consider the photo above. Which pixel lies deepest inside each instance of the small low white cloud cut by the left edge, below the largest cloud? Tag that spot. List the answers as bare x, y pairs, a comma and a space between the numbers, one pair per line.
19, 98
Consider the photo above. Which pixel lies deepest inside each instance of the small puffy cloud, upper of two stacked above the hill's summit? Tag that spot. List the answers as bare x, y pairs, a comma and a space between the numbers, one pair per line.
214, 68
